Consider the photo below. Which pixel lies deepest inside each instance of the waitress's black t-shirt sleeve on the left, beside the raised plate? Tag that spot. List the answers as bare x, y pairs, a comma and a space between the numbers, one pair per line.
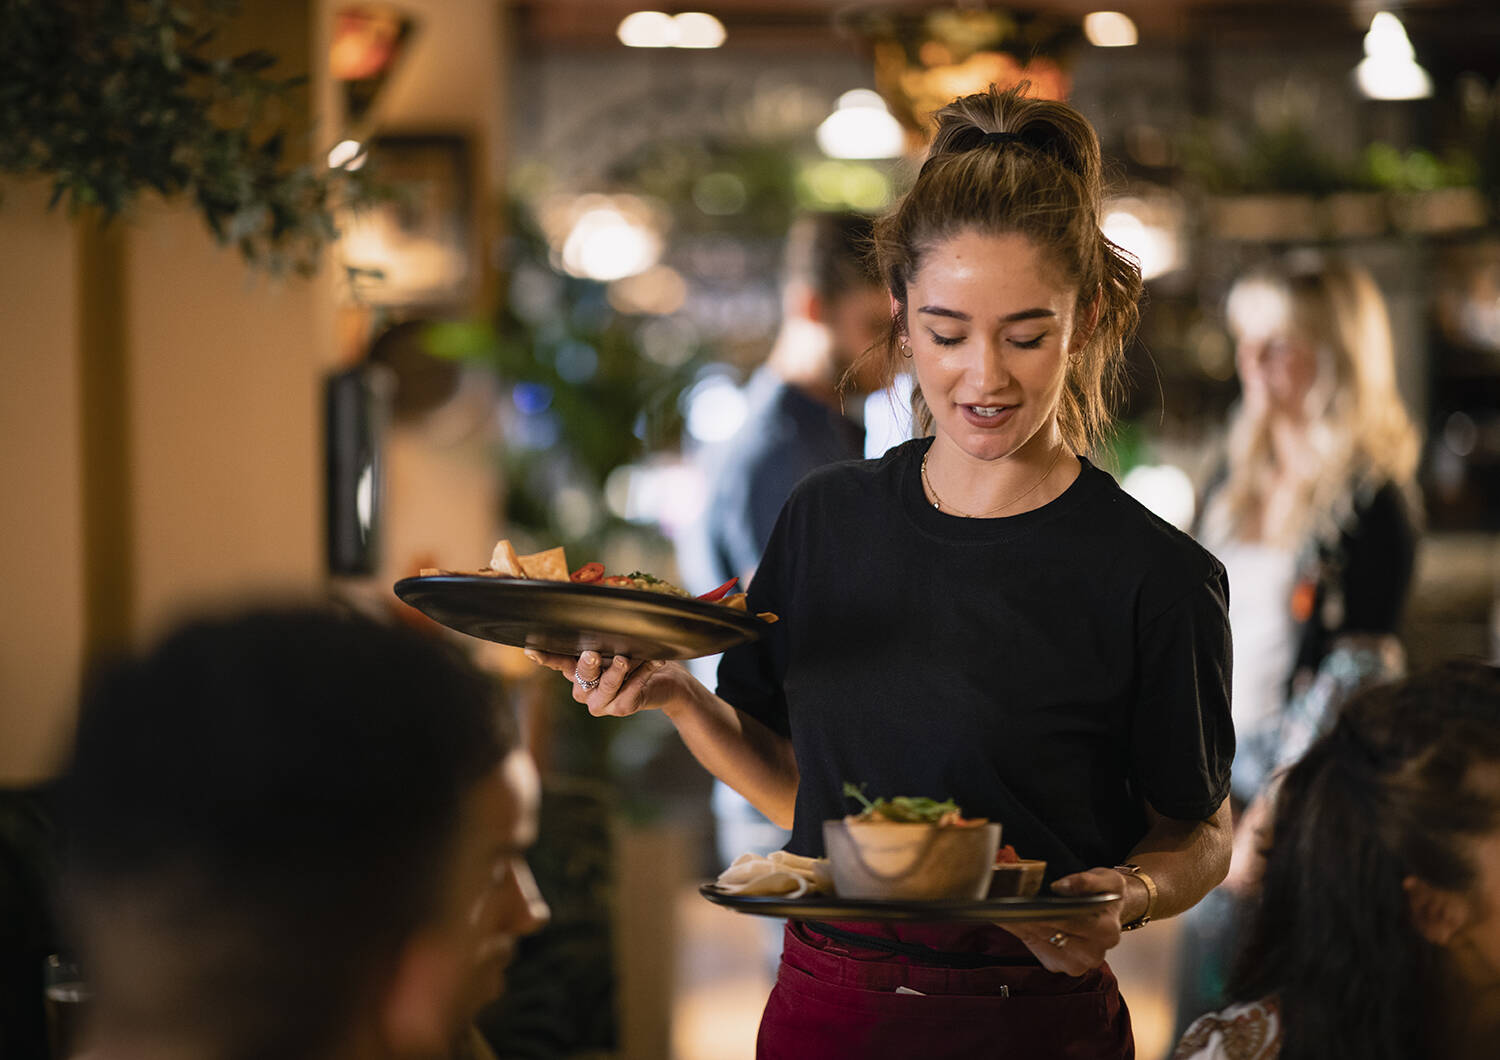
751, 675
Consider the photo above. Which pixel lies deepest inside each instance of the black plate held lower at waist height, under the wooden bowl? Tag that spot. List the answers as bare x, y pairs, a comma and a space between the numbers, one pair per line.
829, 908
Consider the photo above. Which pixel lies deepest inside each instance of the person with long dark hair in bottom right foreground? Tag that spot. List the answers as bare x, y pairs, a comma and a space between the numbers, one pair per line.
1376, 933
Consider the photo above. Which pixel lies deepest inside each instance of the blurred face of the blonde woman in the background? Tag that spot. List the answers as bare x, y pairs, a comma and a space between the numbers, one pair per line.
1277, 364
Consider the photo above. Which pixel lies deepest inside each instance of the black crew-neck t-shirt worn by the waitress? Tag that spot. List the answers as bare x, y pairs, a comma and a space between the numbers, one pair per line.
1052, 671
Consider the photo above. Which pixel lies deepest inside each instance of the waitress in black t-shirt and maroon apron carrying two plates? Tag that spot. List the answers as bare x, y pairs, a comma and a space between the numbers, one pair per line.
982, 615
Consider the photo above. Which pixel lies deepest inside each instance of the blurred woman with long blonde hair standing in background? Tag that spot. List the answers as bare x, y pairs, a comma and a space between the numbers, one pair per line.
1313, 515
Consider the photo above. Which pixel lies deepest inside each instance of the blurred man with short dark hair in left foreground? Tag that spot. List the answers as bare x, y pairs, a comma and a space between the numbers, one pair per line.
296, 834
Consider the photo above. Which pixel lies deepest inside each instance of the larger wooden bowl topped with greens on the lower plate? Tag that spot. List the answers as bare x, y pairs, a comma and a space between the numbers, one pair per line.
890, 860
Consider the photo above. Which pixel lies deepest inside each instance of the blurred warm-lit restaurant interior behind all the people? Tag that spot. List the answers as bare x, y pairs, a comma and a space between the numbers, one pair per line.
554, 269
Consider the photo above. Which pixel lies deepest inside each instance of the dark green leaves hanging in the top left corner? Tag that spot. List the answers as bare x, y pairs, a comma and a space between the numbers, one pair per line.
118, 98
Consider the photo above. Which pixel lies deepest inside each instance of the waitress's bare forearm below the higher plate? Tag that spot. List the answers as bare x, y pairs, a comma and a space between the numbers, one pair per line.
739, 750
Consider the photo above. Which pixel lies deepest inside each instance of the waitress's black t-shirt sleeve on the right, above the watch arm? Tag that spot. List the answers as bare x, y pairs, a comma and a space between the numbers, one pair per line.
1183, 737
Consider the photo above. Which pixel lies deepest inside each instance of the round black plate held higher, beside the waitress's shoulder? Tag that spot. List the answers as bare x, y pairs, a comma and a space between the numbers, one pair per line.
568, 618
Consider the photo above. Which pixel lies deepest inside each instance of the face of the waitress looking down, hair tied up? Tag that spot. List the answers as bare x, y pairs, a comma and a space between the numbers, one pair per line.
991, 325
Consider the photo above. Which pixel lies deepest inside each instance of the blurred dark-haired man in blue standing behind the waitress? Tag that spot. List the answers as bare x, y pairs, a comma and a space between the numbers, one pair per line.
803, 413
